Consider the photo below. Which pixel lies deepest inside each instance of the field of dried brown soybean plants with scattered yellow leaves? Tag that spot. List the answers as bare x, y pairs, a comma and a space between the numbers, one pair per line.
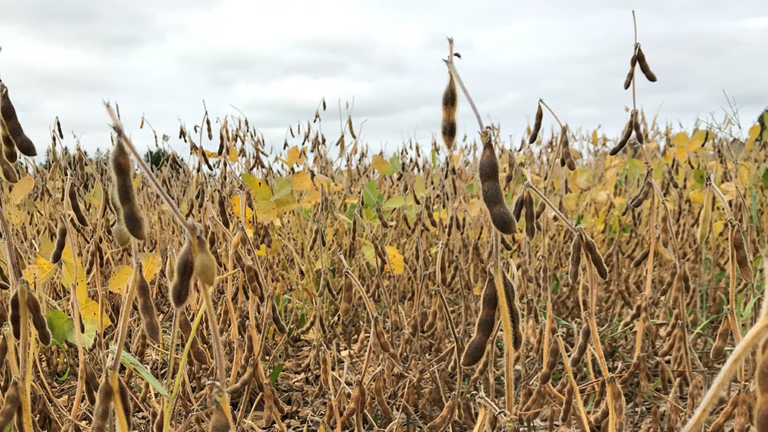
571, 281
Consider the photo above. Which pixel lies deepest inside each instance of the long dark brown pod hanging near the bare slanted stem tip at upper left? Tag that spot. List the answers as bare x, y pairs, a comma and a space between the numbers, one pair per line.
122, 173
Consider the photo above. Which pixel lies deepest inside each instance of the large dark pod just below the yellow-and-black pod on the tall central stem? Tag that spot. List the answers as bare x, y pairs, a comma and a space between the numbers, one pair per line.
492, 196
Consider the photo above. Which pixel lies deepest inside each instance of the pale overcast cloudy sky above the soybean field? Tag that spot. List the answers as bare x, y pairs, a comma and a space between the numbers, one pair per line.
276, 60
